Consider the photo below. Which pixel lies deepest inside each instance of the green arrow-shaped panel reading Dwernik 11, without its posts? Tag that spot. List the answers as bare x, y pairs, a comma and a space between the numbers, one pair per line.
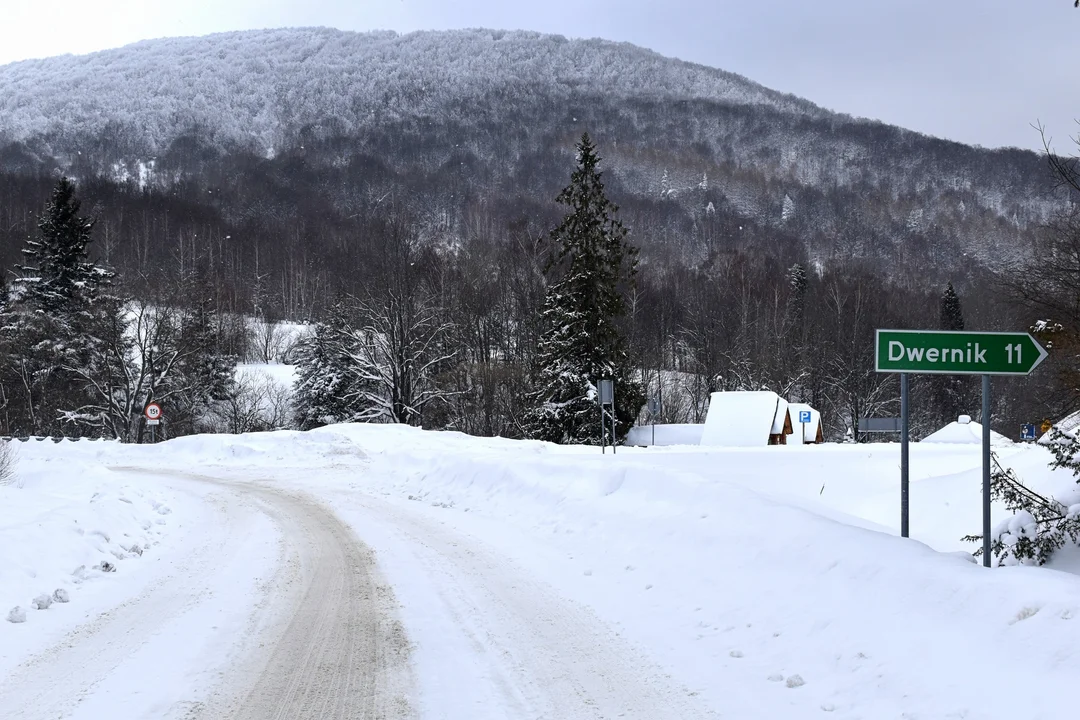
947, 352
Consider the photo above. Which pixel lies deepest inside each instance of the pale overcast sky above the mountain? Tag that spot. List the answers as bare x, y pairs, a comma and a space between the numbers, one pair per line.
980, 72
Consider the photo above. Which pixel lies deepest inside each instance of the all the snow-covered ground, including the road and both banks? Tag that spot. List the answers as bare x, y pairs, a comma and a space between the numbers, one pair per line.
385, 573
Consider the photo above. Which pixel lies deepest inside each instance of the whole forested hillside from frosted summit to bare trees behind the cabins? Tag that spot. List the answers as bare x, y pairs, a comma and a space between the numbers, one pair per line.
285, 171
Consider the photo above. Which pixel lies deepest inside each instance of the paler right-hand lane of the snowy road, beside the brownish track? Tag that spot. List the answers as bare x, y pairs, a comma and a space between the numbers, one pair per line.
497, 644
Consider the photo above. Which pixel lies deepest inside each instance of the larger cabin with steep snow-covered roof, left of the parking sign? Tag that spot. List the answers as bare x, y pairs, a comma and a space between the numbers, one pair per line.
747, 419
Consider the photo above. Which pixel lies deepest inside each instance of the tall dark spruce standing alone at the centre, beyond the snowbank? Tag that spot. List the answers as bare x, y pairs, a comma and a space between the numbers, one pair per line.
592, 268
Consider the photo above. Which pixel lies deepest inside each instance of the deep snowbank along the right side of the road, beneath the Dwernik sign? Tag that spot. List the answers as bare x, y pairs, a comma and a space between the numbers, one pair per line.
768, 582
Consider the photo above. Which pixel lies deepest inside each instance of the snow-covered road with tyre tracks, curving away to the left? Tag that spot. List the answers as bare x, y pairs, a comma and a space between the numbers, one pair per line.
276, 609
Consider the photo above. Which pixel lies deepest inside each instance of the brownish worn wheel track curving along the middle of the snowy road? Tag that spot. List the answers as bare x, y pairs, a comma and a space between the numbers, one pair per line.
340, 653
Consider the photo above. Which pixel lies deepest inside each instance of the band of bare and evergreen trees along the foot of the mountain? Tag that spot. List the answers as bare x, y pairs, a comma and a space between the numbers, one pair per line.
458, 336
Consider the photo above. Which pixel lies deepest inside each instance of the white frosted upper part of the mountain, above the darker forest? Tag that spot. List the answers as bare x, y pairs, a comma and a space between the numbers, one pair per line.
261, 85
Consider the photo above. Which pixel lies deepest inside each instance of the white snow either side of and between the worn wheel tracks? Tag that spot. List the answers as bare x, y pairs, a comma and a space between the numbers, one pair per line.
767, 583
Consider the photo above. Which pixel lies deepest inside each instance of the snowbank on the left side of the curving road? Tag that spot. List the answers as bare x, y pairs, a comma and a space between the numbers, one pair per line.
76, 539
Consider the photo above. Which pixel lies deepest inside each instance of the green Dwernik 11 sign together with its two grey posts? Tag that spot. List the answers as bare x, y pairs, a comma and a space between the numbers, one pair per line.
949, 352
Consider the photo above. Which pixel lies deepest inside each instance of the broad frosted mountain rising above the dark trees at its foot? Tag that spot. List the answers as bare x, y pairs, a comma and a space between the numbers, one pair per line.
701, 161
